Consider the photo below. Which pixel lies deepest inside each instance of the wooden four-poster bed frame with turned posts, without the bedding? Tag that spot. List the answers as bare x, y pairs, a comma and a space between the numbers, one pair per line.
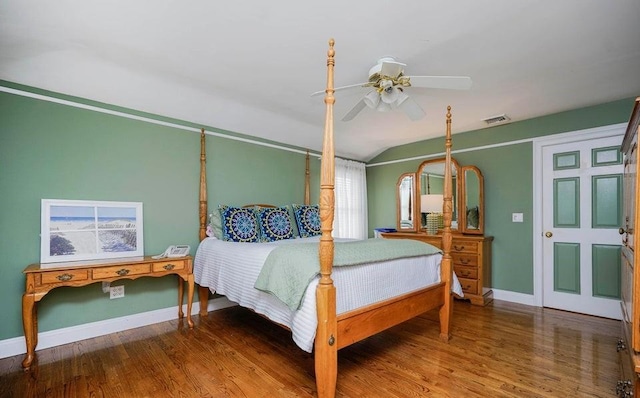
335, 330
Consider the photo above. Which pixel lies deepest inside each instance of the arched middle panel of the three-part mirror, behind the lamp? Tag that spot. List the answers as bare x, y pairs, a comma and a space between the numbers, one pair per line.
431, 195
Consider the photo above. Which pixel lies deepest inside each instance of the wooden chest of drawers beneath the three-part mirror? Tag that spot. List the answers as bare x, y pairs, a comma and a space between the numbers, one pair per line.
471, 255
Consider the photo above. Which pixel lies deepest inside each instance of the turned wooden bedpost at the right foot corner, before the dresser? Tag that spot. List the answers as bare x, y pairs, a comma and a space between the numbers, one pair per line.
446, 310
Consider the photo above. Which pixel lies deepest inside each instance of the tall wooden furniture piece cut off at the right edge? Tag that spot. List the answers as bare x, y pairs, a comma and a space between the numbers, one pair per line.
629, 344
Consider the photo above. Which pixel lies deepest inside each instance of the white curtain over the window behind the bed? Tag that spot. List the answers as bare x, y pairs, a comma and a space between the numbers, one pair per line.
351, 200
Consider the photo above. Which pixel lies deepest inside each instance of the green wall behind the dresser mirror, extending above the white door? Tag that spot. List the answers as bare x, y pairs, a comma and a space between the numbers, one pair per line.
508, 181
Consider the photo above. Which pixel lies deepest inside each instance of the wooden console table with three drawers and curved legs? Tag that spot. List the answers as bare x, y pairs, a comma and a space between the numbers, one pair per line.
42, 278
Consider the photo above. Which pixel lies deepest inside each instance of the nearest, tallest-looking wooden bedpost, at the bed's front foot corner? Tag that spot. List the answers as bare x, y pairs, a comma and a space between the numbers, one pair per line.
326, 345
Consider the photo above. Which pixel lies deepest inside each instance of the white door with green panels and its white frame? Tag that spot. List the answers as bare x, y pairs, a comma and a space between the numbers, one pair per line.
577, 208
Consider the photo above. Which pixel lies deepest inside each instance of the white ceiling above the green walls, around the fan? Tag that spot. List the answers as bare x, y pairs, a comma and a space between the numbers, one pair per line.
250, 66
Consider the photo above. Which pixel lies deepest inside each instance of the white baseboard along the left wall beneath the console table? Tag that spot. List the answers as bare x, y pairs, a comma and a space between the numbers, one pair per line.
52, 338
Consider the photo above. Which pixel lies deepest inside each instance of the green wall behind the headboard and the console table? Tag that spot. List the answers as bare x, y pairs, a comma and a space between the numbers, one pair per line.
55, 151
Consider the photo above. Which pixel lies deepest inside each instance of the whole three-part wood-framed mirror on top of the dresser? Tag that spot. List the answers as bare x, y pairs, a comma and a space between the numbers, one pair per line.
420, 196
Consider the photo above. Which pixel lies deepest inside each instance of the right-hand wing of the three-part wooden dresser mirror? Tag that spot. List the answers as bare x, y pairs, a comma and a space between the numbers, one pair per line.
472, 219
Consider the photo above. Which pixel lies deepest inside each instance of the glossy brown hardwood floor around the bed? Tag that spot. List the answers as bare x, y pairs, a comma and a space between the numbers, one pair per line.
502, 350
